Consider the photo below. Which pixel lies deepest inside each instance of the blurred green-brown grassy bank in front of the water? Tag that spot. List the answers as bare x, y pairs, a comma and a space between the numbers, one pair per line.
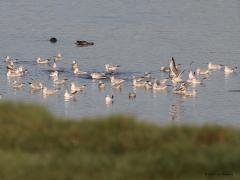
36, 145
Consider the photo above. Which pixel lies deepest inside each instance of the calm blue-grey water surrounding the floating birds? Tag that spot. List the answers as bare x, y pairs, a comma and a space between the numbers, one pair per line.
138, 35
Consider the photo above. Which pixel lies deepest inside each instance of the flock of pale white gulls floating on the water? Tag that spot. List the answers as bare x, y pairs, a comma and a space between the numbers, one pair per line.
173, 81
